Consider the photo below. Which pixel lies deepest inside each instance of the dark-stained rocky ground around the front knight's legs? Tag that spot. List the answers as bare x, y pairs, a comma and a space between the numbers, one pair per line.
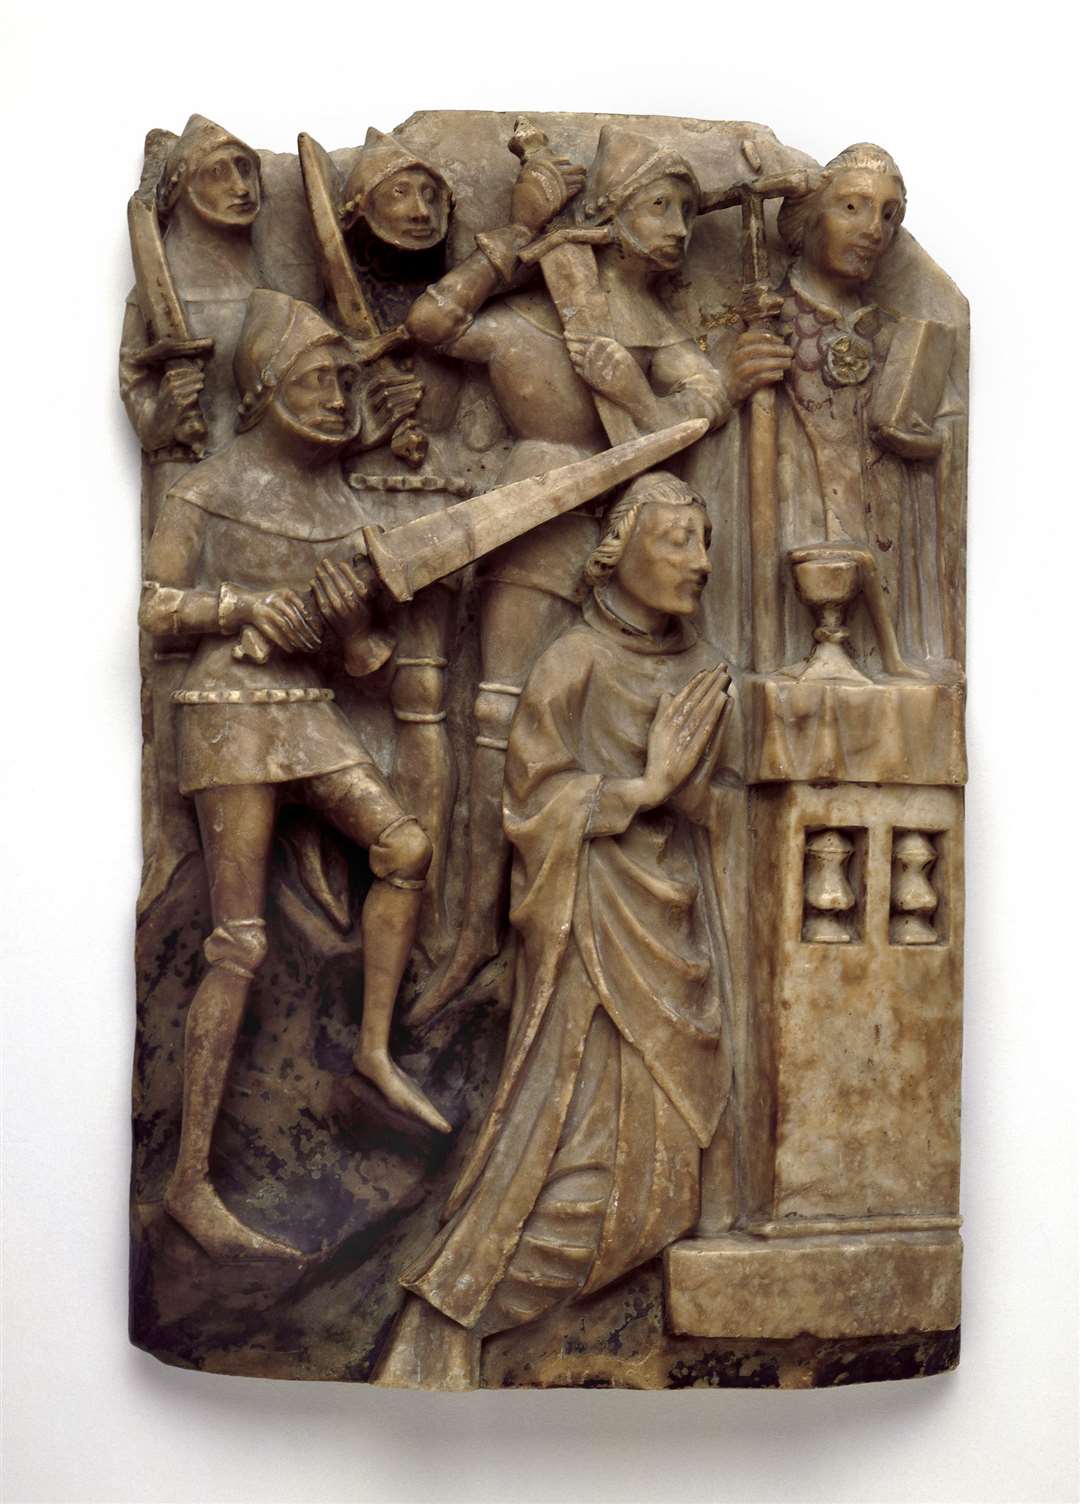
305, 1150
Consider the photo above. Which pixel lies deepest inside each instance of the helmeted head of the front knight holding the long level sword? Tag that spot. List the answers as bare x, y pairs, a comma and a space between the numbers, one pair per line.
297, 368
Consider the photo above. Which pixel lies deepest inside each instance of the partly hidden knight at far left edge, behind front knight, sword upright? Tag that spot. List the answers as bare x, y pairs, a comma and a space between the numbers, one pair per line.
195, 261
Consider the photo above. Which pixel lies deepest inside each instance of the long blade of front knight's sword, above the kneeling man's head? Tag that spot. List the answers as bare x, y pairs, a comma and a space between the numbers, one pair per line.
431, 548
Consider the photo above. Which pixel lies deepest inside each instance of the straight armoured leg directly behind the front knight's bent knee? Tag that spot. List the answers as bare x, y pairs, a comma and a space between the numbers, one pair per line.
425, 775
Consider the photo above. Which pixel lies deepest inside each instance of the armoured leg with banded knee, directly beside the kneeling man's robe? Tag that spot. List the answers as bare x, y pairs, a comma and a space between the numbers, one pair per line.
518, 625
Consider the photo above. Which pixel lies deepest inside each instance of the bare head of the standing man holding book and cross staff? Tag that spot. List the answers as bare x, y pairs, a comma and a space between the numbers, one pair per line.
851, 217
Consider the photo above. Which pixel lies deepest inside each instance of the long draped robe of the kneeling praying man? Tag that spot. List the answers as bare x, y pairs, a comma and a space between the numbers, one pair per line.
617, 1063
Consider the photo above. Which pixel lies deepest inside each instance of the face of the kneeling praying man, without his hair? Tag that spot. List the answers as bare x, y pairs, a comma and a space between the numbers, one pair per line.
666, 562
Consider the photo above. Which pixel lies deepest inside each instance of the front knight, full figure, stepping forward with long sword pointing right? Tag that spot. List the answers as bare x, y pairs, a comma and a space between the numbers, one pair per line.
262, 554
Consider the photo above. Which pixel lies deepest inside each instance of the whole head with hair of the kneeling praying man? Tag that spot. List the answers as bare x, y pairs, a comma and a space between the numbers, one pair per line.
657, 545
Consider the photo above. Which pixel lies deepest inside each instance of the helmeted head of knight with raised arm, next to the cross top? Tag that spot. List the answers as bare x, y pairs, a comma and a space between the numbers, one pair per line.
651, 195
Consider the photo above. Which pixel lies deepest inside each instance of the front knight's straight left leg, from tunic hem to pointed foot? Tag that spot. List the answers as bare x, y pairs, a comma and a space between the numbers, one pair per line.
237, 831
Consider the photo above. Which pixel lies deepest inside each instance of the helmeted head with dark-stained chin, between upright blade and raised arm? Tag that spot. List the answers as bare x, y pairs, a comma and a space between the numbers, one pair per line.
402, 199
